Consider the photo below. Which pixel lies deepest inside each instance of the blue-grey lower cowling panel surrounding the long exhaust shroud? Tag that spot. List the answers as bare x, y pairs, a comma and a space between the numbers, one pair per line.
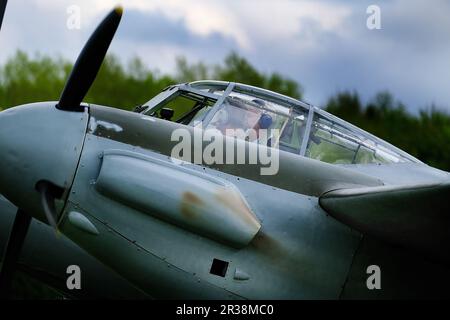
295, 247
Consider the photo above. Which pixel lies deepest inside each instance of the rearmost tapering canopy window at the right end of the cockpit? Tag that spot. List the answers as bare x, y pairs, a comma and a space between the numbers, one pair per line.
333, 143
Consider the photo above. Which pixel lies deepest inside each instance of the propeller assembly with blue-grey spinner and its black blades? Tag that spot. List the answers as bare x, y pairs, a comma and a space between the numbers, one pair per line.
50, 176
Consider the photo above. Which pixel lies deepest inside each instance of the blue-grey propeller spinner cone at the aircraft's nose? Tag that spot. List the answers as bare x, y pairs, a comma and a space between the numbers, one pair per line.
38, 142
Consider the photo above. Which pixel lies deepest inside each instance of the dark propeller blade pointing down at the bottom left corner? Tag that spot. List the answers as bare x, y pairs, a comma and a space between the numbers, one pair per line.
12, 252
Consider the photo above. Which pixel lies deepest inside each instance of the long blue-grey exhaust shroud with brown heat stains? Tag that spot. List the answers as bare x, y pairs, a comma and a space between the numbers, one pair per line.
196, 201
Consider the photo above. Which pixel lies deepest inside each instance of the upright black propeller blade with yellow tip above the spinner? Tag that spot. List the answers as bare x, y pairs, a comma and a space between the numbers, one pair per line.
88, 63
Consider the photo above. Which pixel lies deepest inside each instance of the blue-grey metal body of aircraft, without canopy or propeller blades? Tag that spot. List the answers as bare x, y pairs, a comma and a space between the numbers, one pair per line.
286, 246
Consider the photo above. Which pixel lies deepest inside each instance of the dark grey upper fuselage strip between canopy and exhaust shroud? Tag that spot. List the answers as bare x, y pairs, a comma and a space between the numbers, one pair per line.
296, 173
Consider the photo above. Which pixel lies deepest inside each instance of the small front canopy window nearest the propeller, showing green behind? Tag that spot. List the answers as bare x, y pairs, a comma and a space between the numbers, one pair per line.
183, 107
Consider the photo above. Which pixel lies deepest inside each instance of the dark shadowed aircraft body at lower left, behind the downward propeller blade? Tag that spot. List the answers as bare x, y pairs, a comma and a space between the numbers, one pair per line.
46, 257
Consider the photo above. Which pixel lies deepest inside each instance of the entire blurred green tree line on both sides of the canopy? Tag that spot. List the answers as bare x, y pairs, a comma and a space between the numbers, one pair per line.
41, 78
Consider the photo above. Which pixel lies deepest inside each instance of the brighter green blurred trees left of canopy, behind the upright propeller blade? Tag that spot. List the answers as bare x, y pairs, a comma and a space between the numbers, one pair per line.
24, 79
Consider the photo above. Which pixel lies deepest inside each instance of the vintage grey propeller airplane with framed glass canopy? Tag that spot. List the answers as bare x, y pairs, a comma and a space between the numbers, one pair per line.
178, 225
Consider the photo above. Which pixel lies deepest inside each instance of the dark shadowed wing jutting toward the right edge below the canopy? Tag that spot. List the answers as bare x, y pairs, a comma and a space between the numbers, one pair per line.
381, 212
